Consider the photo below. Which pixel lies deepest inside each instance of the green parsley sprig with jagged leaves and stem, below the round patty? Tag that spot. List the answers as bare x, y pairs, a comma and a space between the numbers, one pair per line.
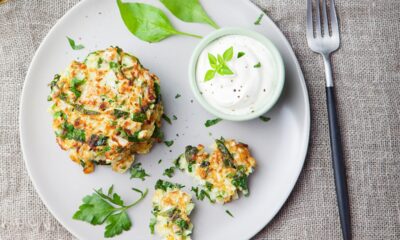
100, 208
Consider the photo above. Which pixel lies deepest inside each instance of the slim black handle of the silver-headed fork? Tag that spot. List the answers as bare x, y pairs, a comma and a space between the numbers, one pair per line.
338, 165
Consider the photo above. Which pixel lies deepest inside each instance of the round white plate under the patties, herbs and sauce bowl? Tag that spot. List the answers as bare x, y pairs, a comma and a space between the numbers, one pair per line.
279, 145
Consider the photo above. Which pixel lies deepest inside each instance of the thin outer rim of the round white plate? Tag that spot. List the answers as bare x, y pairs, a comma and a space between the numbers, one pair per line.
305, 139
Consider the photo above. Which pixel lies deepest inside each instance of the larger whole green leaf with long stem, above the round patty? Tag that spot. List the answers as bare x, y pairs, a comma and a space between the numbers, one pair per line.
147, 22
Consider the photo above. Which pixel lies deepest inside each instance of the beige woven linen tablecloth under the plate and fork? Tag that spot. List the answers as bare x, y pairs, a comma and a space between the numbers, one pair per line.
367, 76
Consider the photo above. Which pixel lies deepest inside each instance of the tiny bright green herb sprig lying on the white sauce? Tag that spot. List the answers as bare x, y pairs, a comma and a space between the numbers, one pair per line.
218, 64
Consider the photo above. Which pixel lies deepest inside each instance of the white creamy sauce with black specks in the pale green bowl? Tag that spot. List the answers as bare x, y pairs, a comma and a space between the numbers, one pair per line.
249, 87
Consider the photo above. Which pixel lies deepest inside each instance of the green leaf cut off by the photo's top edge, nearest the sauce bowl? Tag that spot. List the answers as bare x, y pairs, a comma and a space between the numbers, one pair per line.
189, 11
